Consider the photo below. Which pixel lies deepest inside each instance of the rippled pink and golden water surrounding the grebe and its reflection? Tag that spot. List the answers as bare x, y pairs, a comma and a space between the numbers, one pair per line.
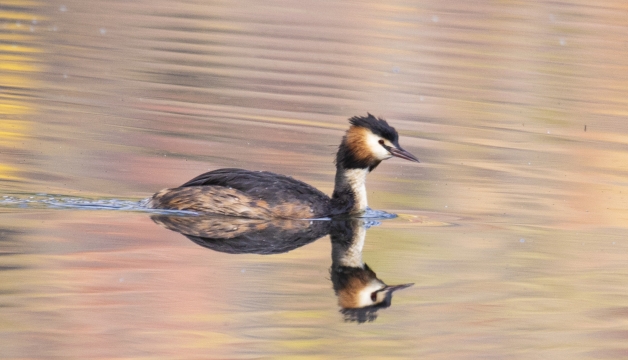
512, 228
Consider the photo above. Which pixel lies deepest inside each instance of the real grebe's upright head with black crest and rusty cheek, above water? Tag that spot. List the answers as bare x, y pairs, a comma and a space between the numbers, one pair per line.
368, 141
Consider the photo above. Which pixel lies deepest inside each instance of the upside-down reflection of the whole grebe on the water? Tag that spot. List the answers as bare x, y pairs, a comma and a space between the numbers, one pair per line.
360, 292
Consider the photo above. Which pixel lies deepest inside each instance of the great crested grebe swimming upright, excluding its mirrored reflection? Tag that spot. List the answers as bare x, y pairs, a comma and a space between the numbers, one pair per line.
266, 195
